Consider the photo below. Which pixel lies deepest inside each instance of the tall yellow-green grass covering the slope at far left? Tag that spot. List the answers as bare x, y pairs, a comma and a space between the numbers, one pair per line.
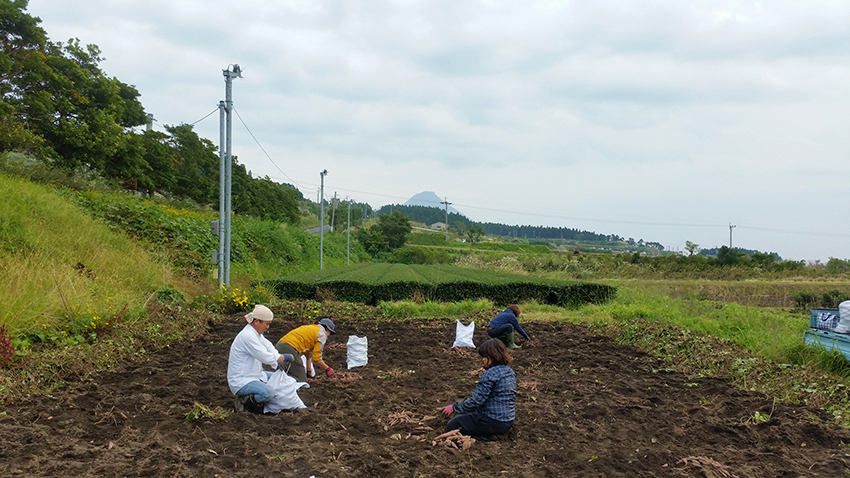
55, 259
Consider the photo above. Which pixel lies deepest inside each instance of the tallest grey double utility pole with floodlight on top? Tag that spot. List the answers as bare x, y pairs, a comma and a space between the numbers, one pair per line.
225, 168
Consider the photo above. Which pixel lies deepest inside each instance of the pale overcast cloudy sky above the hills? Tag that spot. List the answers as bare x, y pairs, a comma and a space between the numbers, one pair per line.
668, 121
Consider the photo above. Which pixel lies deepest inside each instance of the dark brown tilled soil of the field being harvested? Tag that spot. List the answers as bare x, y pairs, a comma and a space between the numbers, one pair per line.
586, 407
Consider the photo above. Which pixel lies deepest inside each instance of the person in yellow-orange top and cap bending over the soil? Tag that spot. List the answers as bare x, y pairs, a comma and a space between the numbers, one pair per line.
307, 341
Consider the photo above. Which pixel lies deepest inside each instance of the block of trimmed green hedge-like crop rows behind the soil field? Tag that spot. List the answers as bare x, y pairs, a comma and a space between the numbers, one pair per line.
374, 283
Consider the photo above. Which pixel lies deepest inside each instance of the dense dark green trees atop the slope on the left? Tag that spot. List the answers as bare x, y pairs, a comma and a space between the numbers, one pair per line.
58, 106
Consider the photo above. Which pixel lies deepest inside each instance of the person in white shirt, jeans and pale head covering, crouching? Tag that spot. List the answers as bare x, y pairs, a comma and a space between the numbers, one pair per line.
248, 352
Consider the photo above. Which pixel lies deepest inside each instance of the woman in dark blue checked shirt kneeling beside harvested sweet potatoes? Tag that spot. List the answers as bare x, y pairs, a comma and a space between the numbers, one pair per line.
491, 408
